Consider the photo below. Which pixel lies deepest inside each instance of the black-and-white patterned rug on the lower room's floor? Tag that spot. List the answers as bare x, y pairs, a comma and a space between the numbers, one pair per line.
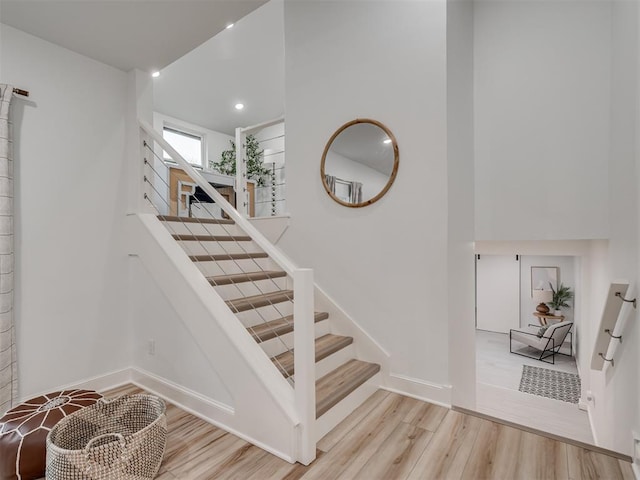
550, 383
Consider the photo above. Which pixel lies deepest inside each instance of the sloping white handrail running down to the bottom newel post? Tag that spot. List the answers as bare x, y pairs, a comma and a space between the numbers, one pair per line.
275, 254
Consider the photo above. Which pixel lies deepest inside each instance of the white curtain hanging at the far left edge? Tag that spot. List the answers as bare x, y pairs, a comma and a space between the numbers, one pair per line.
8, 366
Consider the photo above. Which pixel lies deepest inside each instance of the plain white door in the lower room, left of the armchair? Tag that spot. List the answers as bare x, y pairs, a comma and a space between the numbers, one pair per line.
497, 292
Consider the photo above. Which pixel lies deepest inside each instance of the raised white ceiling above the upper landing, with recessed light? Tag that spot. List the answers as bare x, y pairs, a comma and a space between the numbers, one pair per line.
244, 64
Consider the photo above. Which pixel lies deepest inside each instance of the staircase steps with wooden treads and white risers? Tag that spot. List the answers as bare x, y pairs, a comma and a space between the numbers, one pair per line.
260, 296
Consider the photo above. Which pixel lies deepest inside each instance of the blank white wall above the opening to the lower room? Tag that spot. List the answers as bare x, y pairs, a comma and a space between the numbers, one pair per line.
542, 84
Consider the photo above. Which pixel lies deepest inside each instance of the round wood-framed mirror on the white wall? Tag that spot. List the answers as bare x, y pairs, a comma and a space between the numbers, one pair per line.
359, 163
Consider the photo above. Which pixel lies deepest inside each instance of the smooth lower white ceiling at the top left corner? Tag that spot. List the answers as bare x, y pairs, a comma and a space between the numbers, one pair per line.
126, 34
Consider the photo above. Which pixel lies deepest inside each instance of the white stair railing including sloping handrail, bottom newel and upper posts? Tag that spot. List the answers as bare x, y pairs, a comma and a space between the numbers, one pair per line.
304, 358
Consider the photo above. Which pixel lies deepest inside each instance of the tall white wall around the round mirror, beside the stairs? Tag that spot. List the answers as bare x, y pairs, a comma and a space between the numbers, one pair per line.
385, 264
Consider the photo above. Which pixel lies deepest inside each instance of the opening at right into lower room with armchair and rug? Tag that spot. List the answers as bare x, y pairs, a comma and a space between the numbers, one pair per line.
505, 301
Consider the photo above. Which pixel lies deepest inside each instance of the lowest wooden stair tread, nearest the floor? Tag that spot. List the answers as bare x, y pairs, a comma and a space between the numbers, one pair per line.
336, 385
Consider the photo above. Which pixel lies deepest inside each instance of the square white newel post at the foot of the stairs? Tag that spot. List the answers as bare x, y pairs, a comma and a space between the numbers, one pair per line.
304, 362
